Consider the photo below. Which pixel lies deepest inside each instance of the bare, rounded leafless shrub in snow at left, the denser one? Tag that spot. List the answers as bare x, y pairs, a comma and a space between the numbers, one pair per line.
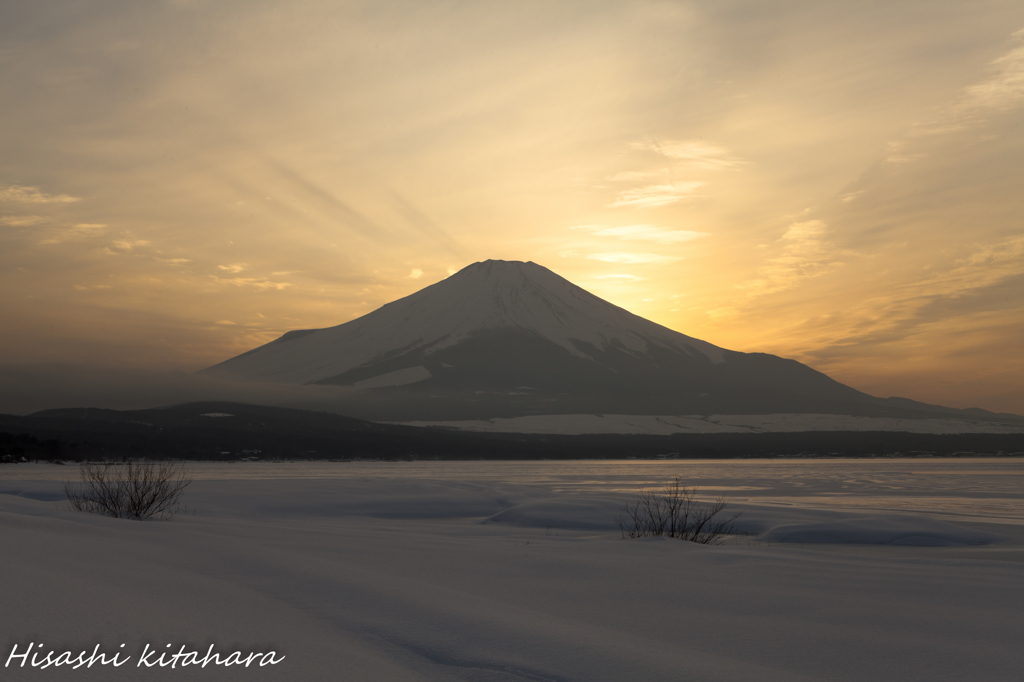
133, 490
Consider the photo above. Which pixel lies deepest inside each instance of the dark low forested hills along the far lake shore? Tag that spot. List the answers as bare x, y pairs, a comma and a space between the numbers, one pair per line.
232, 432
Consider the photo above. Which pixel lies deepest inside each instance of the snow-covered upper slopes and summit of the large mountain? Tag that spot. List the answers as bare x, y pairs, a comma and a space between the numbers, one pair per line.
484, 297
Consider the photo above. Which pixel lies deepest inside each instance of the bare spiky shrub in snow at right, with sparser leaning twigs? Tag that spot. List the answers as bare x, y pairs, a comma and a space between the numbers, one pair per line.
675, 514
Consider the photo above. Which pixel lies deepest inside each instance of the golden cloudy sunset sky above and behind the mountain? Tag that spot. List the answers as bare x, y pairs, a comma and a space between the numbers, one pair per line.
841, 184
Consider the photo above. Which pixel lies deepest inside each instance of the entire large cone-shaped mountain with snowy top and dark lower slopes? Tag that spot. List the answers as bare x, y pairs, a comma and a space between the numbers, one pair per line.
509, 338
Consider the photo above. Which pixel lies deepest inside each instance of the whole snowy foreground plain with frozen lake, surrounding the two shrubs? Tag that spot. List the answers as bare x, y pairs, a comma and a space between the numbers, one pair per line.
513, 572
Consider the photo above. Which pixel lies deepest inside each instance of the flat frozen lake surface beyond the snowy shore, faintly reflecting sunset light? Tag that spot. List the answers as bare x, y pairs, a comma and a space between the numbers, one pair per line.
979, 489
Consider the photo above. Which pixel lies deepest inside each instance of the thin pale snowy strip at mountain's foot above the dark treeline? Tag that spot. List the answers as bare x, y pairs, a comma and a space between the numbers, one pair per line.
667, 425
